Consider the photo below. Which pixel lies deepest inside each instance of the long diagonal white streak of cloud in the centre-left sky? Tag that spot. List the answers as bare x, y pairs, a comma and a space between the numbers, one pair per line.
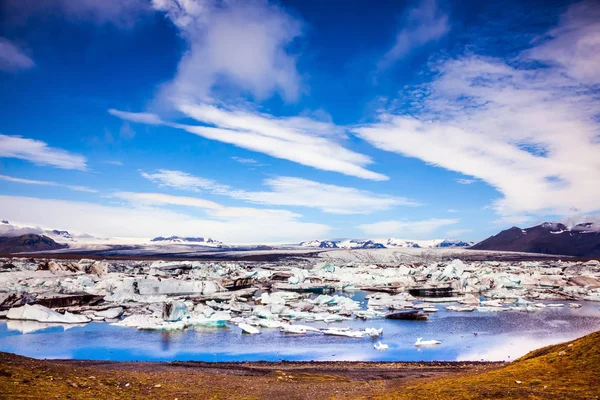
298, 139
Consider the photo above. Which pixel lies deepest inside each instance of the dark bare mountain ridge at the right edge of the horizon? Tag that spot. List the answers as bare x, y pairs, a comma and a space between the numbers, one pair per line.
582, 240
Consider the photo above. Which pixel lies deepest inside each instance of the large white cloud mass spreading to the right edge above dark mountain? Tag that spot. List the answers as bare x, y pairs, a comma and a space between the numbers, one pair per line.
533, 134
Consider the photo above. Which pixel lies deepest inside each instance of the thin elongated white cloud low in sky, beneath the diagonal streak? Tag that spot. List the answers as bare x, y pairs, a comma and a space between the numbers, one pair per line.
288, 191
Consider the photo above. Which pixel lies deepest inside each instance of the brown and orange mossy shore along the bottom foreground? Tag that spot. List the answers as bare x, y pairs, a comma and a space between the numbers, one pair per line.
565, 371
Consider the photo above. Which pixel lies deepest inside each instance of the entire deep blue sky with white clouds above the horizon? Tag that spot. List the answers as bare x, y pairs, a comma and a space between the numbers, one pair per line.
276, 122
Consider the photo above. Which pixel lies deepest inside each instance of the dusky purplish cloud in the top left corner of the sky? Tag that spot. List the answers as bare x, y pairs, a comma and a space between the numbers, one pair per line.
122, 13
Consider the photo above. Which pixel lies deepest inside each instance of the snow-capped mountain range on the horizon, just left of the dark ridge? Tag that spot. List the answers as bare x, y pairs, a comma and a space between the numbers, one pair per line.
384, 243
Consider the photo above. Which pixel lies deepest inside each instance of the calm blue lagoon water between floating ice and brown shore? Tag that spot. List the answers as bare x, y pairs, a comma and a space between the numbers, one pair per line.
500, 336
